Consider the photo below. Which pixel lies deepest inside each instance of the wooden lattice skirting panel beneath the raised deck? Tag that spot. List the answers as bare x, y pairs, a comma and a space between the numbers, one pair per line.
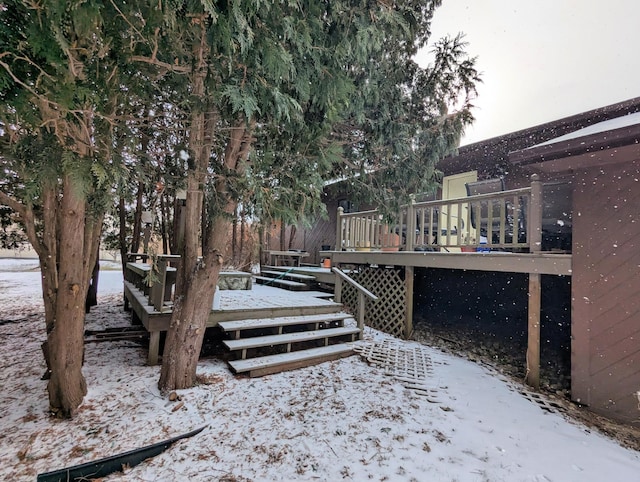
388, 314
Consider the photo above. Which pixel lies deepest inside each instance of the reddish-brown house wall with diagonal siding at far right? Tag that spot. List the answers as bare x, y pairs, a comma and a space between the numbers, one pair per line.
606, 290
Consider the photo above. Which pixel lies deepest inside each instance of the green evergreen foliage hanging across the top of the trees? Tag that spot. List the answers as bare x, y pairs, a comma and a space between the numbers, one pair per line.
331, 88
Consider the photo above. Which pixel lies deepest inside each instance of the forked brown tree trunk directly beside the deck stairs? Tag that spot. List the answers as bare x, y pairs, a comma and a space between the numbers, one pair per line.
197, 279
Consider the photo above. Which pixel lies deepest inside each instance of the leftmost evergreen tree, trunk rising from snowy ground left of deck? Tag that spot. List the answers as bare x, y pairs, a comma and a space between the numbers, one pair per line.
58, 95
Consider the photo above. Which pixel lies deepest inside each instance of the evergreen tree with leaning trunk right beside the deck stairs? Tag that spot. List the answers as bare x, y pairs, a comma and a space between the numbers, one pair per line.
279, 95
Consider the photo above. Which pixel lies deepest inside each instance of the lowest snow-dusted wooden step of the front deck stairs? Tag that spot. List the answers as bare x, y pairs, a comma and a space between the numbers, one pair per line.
257, 367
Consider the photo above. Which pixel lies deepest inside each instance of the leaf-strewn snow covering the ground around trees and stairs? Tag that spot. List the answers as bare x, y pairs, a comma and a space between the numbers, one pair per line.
341, 420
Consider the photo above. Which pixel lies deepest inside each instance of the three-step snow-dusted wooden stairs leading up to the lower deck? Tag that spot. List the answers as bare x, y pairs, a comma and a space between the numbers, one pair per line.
262, 346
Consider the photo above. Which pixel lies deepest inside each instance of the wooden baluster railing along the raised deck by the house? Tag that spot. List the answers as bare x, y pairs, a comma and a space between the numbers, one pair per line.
505, 220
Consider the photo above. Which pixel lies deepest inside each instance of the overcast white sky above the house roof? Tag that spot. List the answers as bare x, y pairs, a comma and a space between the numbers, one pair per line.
545, 59
